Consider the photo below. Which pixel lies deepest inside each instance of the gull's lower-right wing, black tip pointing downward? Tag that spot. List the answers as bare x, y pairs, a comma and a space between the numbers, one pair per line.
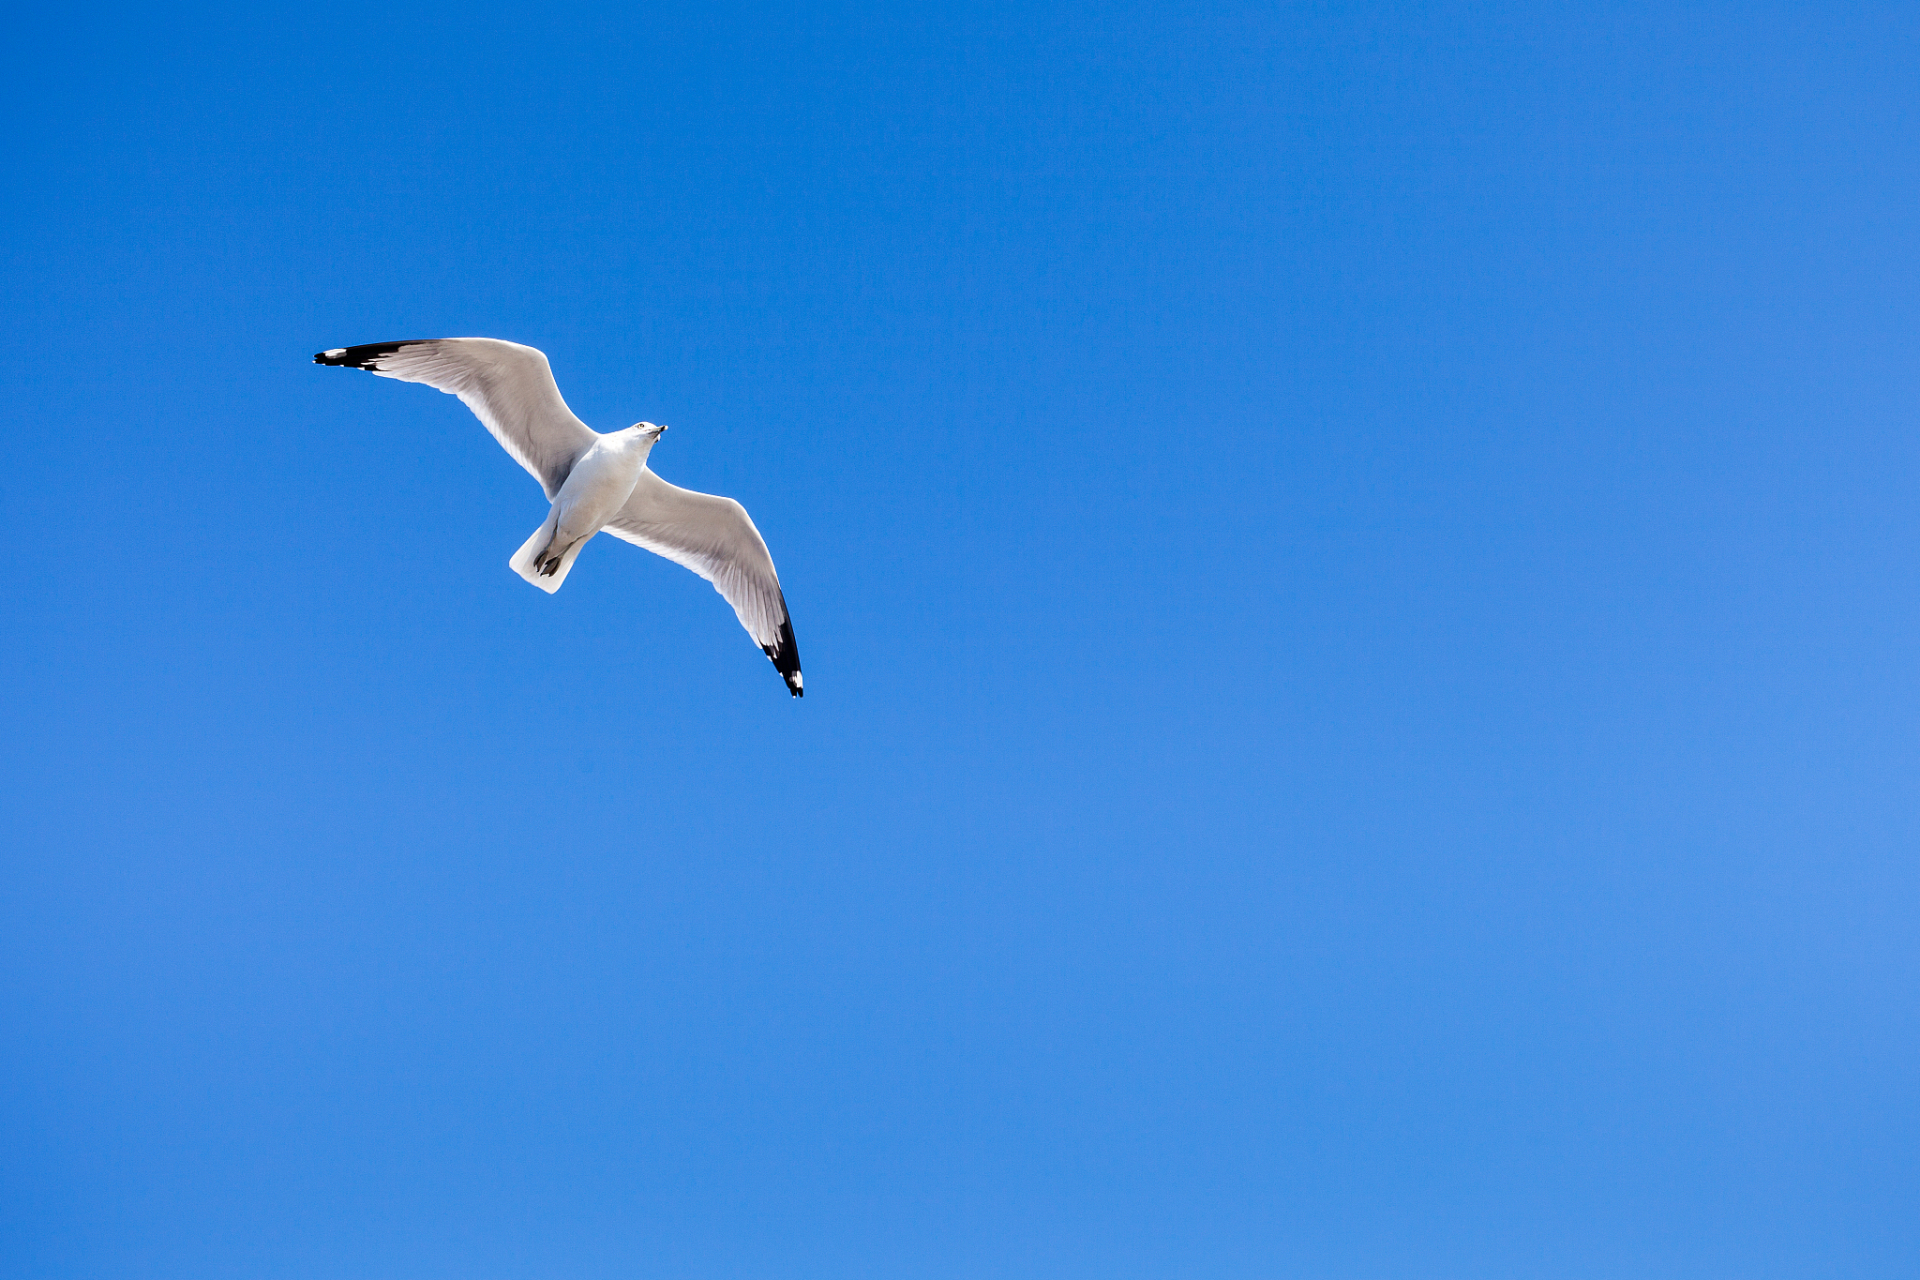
715, 538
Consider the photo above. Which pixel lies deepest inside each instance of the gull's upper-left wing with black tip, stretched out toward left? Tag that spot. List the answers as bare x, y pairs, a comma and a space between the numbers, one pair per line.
508, 387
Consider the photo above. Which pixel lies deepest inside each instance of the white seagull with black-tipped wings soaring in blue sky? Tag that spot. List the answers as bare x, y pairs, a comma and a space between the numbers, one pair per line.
594, 483
